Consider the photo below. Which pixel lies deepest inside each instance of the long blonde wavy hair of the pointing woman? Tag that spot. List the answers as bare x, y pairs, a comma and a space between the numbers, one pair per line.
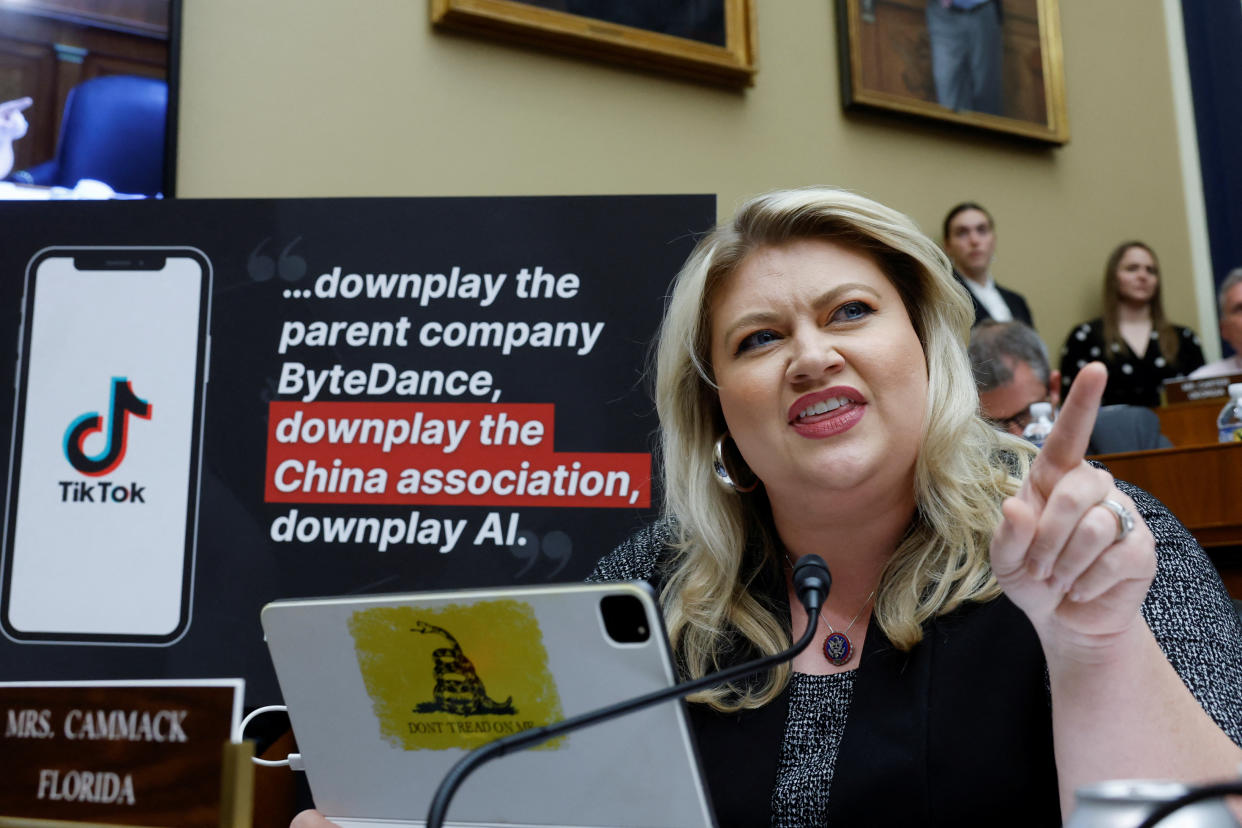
964, 469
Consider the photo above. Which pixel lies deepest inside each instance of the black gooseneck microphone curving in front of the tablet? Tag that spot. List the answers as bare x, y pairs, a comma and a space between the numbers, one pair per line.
812, 584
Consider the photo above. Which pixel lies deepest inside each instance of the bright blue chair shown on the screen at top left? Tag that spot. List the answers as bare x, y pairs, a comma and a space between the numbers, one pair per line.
114, 132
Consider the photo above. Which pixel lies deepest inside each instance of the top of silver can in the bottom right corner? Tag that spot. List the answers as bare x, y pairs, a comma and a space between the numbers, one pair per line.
1125, 804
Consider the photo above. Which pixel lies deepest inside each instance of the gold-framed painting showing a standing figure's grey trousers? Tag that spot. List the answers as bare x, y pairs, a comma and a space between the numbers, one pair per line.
887, 56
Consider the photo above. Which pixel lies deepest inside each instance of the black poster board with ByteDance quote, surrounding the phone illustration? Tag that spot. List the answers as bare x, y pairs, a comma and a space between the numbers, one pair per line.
556, 349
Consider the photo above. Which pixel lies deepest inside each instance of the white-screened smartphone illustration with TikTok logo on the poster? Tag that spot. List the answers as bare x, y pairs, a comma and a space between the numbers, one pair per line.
101, 516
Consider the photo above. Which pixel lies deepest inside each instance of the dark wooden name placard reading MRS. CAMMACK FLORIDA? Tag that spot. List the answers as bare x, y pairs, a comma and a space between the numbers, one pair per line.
117, 753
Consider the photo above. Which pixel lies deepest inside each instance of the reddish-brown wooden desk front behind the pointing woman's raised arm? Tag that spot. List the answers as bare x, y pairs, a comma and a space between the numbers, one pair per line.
1203, 487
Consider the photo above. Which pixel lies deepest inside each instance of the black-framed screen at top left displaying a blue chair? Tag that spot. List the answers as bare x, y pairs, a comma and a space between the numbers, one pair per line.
104, 88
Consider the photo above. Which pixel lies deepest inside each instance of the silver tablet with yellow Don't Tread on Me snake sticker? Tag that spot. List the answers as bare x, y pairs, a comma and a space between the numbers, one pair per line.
387, 693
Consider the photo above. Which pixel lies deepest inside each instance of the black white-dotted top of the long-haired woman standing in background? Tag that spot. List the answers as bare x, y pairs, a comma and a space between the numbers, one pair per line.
1133, 380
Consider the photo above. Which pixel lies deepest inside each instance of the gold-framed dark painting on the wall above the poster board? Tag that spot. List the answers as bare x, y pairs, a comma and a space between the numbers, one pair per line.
717, 45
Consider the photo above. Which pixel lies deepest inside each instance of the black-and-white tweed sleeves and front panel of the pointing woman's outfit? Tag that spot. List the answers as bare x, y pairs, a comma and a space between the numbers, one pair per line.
1187, 609
